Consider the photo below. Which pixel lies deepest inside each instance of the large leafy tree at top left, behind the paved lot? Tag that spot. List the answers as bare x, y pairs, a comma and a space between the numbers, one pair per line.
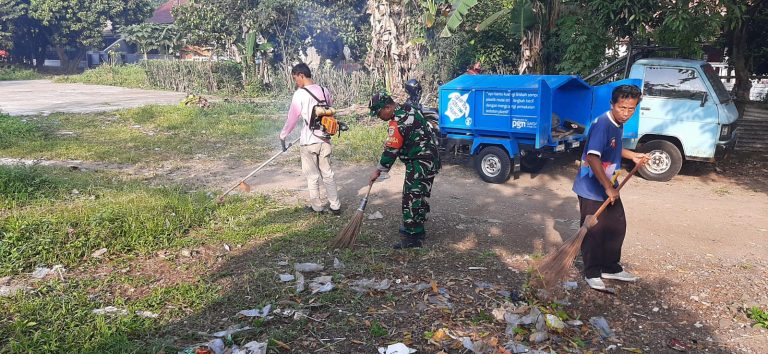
72, 26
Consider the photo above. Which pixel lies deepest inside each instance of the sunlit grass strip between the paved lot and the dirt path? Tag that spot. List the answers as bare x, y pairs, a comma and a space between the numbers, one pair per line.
156, 134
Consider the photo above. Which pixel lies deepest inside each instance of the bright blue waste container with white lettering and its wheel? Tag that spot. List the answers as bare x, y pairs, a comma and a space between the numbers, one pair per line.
513, 122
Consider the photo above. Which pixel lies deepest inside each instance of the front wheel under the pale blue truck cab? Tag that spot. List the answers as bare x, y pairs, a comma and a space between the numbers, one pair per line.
665, 161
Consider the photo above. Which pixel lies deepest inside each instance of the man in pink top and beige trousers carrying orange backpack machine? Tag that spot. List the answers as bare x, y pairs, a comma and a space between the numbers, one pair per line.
311, 102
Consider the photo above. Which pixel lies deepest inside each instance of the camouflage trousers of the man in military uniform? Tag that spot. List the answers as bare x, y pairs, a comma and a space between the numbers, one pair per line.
417, 187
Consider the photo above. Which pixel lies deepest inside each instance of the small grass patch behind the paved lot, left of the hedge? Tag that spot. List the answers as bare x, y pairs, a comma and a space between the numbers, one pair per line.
133, 76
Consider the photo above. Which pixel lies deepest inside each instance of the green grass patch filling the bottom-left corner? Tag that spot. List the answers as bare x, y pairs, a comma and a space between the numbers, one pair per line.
57, 318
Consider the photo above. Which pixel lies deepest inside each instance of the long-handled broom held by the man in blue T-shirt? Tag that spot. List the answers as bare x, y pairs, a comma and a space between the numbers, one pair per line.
555, 265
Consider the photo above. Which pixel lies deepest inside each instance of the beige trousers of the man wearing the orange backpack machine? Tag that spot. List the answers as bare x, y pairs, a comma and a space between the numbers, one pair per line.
316, 165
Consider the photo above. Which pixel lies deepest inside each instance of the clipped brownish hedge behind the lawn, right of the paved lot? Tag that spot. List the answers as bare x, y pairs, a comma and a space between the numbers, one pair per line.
195, 76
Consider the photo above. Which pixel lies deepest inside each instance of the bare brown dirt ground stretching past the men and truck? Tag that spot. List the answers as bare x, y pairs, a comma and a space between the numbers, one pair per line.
698, 242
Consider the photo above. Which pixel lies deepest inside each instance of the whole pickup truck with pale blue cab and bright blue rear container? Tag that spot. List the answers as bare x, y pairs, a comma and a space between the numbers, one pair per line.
509, 123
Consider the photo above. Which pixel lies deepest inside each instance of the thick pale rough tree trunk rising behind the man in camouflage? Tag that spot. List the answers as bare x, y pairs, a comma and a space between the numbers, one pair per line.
392, 55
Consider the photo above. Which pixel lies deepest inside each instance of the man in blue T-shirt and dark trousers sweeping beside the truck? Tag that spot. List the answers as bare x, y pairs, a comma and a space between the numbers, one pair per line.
597, 181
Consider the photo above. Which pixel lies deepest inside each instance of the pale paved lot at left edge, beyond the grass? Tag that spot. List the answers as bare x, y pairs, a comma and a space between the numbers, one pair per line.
29, 97
